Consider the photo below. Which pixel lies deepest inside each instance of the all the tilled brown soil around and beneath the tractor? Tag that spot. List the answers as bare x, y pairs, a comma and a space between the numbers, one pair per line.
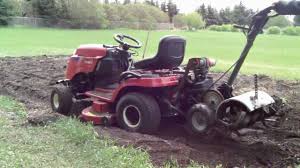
30, 80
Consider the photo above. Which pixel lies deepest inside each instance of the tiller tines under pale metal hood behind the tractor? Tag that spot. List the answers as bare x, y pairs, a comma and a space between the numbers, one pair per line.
245, 110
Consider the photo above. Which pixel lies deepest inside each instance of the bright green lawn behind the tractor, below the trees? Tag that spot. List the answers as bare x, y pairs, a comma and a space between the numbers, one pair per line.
273, 55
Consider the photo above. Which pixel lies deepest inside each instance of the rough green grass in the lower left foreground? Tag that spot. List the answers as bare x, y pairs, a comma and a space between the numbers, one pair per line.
66, 143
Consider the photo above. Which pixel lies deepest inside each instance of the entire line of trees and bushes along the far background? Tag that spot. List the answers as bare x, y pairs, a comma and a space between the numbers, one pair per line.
92, 14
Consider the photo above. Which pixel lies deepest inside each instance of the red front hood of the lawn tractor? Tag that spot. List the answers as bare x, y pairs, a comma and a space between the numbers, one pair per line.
84, 60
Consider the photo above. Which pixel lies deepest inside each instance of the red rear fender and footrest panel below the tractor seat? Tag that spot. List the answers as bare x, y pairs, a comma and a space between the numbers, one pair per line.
153, 82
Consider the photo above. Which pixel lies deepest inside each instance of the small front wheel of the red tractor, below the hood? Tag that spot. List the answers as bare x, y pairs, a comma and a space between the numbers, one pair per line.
61, 100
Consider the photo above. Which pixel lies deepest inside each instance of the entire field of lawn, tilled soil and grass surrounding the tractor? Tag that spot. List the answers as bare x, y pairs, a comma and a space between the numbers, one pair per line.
37, 58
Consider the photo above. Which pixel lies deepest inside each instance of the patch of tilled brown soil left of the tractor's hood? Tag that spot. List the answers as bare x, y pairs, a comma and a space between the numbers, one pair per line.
30, 79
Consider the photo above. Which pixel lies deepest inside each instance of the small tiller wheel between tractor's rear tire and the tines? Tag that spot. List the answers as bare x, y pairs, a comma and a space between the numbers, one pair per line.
200, 118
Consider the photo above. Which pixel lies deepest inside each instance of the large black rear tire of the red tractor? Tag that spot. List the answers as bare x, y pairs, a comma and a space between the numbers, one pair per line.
138, 112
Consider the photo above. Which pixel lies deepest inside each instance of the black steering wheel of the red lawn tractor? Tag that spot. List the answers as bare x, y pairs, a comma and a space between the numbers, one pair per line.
121, 39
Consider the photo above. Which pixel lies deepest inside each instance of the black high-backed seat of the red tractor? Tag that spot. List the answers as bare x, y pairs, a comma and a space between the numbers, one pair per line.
170, 55
